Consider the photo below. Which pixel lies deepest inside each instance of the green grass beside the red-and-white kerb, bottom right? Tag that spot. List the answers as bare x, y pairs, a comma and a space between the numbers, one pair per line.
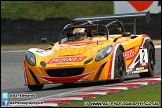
148, 94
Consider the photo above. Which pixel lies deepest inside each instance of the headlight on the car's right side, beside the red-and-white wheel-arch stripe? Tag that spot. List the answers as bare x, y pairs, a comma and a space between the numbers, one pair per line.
104, 53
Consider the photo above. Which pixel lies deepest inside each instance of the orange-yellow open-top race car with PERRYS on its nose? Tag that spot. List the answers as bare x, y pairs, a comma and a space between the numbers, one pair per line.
92, 48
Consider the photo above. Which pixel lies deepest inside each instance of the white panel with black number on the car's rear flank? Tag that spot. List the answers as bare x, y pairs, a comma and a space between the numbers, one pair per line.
143, 57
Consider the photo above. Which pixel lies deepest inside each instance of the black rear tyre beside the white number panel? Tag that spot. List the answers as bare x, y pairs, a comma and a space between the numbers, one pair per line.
151, 63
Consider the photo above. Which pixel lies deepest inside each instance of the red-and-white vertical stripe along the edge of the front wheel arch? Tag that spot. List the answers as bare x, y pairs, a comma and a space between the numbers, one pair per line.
112, 62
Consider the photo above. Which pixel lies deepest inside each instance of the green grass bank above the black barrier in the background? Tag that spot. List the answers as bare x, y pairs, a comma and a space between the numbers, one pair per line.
44, 9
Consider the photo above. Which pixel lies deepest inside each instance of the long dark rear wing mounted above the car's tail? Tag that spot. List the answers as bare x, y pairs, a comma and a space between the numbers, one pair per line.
115, 17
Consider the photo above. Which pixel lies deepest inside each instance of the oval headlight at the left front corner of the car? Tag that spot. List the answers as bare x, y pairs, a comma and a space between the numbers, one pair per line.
30, 58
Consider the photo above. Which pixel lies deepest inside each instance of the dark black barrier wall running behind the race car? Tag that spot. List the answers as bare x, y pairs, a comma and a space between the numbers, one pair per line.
29, 31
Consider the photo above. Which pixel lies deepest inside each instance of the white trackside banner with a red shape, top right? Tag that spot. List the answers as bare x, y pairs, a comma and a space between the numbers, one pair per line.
121, 7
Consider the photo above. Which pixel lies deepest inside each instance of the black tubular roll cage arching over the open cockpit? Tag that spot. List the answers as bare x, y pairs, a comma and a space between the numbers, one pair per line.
89, 25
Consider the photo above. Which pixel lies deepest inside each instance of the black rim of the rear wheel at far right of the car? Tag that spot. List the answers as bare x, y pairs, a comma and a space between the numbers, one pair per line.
151, 60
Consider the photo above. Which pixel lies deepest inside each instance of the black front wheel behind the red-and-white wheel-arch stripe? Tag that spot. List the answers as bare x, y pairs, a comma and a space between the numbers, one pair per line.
120, 67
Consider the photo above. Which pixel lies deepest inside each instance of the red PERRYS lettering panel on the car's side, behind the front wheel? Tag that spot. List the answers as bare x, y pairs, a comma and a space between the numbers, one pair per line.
129, 54
